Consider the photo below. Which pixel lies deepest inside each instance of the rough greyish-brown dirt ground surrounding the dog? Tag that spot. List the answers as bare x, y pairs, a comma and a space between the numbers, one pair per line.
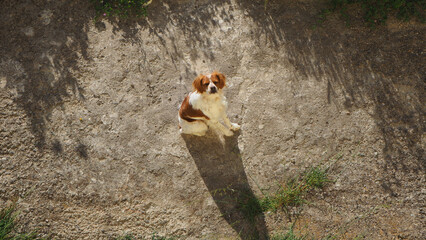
89, 143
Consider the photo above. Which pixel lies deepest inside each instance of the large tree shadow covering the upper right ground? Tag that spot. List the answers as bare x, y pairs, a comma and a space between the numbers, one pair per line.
378, 70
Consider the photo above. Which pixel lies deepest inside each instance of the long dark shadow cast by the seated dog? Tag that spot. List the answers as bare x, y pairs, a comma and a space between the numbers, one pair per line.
220, 165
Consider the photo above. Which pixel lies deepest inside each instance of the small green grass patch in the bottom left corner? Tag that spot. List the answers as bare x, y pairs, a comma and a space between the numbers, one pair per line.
8, 217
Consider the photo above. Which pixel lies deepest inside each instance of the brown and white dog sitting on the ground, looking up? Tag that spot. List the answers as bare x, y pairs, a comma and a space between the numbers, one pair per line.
205, 107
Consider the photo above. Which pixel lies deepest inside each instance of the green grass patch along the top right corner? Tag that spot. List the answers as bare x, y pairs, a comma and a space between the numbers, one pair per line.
376, 12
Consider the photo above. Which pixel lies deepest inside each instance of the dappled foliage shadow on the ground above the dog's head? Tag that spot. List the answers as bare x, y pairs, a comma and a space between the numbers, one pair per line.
194, 19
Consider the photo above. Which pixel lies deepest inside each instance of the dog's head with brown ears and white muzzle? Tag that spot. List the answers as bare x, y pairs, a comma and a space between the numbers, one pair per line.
210, 84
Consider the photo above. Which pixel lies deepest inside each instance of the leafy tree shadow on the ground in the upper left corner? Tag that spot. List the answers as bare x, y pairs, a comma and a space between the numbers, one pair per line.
41, 43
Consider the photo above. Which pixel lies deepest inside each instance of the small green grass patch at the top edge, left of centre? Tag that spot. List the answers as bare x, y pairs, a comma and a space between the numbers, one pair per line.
121, 8
